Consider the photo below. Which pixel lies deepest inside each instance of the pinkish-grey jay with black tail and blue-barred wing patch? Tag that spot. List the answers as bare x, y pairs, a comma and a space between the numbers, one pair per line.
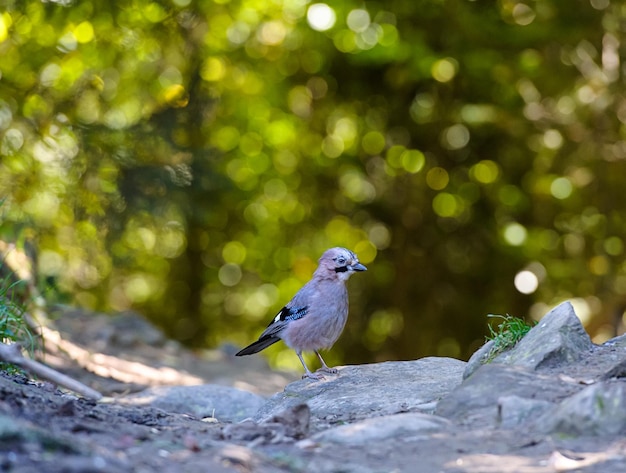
315, 317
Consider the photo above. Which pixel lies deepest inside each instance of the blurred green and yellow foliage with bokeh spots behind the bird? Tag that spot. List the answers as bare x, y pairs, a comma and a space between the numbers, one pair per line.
191, 159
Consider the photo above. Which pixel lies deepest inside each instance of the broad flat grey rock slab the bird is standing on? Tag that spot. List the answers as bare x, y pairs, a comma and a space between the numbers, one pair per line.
365, 391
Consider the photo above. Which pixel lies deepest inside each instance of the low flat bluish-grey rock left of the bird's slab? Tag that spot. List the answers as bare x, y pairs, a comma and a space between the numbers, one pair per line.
207, 400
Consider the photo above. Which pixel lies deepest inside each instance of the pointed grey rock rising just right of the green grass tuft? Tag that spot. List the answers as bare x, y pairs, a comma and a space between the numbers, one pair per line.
559, 338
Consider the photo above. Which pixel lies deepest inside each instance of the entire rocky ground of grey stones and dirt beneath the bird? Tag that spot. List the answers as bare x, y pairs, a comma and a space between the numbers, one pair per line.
556, 402
